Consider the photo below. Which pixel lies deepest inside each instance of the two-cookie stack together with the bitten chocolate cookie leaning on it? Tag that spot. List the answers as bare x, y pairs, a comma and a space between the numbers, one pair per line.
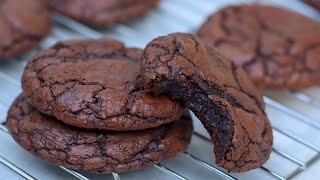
98, 106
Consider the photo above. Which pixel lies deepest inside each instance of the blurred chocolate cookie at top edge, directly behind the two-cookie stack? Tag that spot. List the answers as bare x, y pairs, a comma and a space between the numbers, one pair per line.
103, 12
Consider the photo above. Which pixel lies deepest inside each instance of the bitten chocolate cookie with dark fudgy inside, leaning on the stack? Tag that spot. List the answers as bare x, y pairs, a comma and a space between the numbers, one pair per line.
218, 92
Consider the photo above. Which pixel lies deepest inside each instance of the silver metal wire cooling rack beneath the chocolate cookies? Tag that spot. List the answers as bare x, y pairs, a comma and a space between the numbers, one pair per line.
295, 116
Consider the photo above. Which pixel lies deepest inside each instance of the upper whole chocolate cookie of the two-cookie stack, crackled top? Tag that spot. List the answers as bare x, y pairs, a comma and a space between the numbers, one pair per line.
95, 84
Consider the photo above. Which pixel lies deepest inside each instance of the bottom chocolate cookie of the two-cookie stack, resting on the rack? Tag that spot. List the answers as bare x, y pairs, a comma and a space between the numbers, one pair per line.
91, 150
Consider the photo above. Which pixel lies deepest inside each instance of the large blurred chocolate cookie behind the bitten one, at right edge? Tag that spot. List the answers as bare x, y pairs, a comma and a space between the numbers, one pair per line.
280, 49
